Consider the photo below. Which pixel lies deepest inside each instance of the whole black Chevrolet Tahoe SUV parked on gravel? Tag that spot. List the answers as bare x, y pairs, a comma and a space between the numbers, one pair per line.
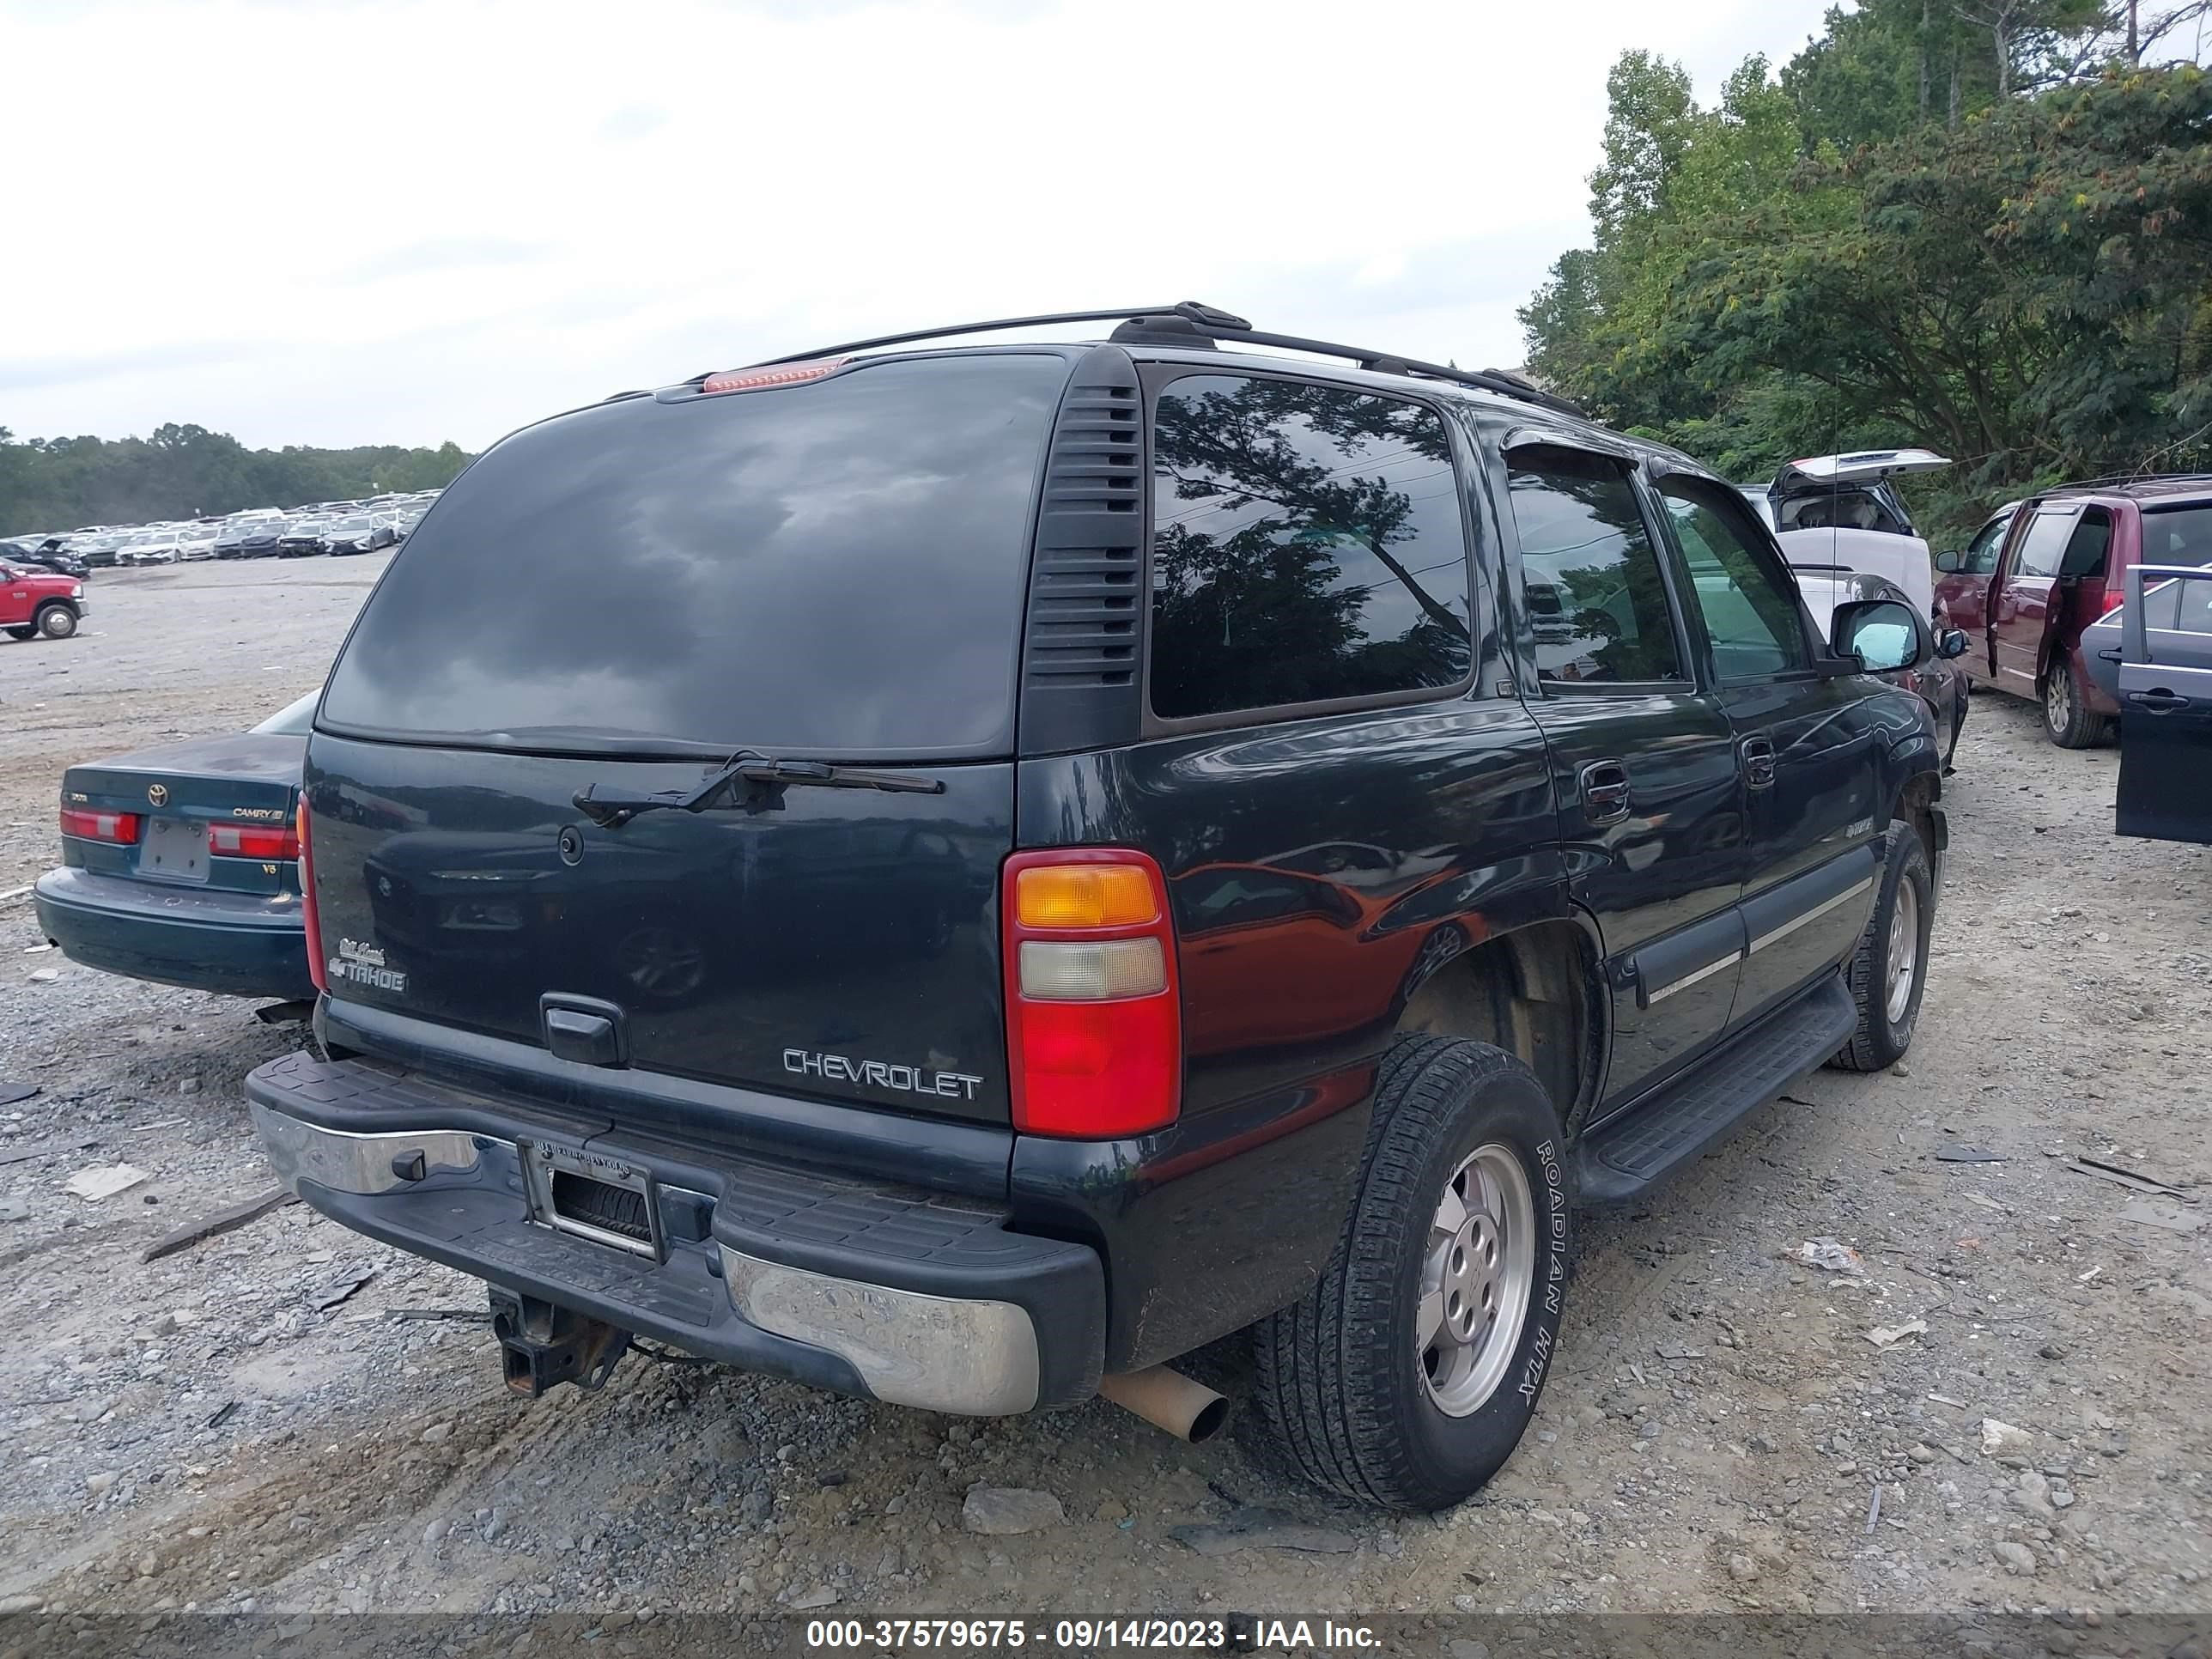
961, 873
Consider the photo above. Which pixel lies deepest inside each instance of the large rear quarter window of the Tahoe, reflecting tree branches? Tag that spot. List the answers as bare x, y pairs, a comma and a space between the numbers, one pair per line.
1308, 545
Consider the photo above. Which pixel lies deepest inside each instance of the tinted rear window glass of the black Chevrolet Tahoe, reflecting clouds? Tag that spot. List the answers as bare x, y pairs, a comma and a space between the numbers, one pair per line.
817, 572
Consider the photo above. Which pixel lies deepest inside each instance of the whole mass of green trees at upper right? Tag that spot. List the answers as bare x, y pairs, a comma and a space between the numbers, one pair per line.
1974, 225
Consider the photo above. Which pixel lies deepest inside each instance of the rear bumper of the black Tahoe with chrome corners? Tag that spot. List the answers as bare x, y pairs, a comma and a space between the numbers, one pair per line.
895, 1295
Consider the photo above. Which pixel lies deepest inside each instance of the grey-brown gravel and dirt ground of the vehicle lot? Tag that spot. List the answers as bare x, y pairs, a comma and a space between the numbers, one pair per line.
222, 1430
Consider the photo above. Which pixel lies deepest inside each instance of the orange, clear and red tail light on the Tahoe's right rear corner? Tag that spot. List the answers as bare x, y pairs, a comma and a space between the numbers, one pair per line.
1094, 1014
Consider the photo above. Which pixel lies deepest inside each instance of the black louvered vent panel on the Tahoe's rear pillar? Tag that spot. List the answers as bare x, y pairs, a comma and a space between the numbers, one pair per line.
1087, 578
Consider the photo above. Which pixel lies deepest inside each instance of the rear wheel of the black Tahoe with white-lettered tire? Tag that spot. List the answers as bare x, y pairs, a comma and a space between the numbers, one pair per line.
1408, 1375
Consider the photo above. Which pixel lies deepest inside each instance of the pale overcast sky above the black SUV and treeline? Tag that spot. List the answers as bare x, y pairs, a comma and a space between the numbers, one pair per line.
386, 222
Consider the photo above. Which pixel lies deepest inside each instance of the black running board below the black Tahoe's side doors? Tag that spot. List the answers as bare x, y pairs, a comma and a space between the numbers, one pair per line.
1634, 1154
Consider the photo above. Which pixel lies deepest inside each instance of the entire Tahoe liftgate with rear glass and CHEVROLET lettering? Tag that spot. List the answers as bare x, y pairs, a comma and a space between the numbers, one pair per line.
514, 831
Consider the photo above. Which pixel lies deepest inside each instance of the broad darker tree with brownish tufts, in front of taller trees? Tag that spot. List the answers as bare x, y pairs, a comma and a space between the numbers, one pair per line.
2021, 293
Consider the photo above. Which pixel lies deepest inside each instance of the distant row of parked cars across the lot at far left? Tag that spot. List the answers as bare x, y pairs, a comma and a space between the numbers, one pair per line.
260, 532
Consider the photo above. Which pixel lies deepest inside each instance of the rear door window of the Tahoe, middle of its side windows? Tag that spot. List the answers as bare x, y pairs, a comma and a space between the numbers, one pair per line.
1589, 574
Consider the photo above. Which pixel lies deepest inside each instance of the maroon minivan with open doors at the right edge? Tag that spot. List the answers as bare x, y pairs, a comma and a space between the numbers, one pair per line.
2045, 570
